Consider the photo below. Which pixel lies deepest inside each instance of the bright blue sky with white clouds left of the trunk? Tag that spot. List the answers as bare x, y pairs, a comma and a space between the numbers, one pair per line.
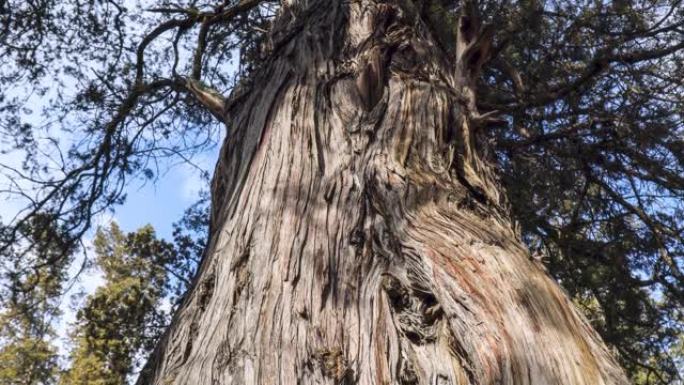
159, 203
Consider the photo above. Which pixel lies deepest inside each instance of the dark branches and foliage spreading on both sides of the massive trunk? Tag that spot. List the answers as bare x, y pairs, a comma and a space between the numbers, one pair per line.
581, 107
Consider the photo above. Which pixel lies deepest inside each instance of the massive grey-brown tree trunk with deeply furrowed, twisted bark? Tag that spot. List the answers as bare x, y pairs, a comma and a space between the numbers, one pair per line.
359, 235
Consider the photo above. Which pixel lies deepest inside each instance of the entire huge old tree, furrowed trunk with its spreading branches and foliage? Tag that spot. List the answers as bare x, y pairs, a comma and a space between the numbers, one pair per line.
559, 121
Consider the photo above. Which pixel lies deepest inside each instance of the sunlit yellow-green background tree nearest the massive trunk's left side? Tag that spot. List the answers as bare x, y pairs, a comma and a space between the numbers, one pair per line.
123, 318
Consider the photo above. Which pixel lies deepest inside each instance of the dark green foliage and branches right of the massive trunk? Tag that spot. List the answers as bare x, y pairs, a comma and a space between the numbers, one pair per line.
593, 161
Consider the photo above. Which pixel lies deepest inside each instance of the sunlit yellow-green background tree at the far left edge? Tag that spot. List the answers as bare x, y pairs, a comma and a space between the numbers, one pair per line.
27, 353
